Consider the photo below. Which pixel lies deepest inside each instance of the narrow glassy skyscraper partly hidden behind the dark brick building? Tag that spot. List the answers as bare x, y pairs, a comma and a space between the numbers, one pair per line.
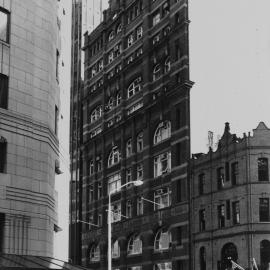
85, 16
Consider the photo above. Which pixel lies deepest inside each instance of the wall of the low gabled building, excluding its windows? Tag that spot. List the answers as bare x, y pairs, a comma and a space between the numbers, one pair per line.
248, 234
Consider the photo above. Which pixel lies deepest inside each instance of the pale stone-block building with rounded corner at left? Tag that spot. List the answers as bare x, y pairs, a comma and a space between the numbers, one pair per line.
29, 111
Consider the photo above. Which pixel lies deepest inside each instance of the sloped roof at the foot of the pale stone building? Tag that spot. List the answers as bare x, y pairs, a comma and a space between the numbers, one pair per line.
25, 262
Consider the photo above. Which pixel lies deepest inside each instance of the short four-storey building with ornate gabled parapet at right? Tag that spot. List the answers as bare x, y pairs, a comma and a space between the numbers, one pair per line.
230, 202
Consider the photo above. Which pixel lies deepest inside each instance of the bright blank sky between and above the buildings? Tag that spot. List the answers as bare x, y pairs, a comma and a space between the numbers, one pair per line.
230, 65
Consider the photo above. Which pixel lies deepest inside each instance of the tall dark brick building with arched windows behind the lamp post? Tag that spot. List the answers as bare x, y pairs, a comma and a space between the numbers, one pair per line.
134, 125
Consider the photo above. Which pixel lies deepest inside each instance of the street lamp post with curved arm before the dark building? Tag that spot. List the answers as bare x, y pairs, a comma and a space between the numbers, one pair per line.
135, 183
